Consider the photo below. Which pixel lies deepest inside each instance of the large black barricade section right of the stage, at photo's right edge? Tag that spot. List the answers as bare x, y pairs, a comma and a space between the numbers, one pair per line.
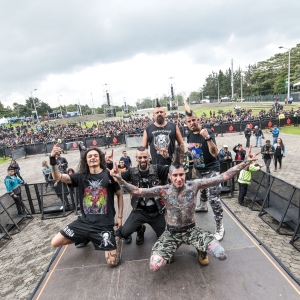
281, 202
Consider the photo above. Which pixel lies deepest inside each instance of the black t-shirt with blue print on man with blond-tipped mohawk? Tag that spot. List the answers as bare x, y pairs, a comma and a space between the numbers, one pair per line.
203, 160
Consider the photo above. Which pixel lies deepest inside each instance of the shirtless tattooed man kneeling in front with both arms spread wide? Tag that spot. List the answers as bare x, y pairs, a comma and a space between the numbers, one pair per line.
180, 199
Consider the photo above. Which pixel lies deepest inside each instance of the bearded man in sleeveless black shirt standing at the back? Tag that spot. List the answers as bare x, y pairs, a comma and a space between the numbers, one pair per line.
161, 136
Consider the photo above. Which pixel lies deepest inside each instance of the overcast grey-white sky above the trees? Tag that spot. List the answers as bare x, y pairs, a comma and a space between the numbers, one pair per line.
80, 49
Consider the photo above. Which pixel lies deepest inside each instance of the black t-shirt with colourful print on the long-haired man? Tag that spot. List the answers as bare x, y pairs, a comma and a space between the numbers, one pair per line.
96, 196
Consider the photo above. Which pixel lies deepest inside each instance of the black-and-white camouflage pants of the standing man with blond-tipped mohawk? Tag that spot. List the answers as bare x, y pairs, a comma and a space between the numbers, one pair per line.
212, 194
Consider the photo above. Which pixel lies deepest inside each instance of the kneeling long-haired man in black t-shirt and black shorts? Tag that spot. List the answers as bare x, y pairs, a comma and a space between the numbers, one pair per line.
96, 194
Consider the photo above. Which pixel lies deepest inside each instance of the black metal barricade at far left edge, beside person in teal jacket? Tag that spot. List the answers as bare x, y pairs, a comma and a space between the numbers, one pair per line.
9, 217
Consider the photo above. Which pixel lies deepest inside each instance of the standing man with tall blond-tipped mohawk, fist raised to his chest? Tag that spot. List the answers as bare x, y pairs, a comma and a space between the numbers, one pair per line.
205, 153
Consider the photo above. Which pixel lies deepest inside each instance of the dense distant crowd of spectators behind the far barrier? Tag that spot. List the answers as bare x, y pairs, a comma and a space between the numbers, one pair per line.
29, 133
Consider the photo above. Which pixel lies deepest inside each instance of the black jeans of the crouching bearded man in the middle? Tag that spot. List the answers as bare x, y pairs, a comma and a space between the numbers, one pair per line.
139, 217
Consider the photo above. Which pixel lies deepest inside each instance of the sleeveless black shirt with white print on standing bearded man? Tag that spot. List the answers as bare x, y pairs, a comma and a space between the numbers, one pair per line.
161, 137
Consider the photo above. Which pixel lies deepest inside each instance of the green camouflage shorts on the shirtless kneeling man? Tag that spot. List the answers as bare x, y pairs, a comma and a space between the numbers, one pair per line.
168, 243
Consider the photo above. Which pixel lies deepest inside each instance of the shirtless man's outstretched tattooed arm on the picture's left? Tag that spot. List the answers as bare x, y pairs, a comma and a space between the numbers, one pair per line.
132, 189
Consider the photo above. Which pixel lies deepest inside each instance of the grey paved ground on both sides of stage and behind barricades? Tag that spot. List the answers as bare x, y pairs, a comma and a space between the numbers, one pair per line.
25, 258
